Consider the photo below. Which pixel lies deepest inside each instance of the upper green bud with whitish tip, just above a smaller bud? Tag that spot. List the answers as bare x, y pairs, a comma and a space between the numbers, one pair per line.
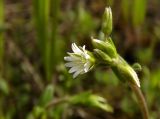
106, 47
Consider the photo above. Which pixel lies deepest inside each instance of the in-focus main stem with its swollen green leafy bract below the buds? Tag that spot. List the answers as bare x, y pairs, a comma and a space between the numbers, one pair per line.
123, 71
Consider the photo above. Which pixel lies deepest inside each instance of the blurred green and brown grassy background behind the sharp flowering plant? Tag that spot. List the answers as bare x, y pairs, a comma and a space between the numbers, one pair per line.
35, 36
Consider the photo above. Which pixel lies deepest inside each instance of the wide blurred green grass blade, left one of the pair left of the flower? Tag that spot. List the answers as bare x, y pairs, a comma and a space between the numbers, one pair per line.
41, 18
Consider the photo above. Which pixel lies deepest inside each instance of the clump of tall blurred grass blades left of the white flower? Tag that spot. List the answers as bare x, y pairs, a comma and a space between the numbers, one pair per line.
47, 39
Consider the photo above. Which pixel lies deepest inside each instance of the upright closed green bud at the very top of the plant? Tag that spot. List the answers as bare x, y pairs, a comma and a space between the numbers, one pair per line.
107, 21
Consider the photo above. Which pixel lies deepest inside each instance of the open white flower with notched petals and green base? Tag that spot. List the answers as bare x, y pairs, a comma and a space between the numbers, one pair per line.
80, 61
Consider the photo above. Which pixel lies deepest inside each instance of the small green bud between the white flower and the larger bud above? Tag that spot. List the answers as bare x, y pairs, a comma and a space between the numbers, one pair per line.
103, 57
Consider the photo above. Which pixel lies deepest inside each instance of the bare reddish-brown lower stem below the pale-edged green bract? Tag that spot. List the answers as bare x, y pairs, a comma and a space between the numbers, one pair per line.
141, 100
